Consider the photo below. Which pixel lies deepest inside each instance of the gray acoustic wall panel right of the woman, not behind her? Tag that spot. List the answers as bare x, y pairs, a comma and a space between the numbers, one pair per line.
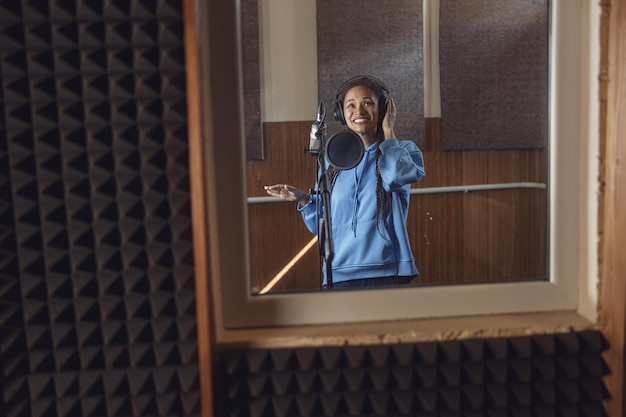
494, 74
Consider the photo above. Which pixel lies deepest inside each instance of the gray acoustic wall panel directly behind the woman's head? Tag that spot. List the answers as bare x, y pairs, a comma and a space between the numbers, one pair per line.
385, 41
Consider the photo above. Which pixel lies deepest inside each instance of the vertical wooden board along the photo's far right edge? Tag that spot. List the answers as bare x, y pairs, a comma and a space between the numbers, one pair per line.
612, 221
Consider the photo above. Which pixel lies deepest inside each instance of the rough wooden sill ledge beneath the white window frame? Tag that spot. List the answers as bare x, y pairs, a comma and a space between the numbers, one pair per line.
406, 331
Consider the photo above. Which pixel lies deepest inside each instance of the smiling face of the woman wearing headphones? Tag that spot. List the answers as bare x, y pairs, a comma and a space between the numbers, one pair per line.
360, 108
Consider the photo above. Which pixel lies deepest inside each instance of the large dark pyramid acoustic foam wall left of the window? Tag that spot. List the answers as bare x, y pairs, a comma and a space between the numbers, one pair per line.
96, 264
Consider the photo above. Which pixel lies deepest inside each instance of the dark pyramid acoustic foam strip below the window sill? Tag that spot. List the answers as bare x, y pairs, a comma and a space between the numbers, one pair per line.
540, 375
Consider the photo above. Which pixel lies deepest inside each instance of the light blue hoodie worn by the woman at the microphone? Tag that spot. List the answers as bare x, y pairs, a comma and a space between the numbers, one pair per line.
363, 247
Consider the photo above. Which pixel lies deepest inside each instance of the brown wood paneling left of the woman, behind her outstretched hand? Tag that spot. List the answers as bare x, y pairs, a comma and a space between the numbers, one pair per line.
277, 232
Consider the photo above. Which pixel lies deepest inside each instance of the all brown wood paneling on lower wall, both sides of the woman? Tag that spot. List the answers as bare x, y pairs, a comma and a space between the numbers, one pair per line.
456, 237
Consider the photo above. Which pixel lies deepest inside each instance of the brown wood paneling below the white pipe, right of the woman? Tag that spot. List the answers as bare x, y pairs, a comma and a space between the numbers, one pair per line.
478, 236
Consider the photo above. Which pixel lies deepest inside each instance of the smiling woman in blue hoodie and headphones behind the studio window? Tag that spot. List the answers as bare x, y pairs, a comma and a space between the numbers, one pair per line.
368, 203
